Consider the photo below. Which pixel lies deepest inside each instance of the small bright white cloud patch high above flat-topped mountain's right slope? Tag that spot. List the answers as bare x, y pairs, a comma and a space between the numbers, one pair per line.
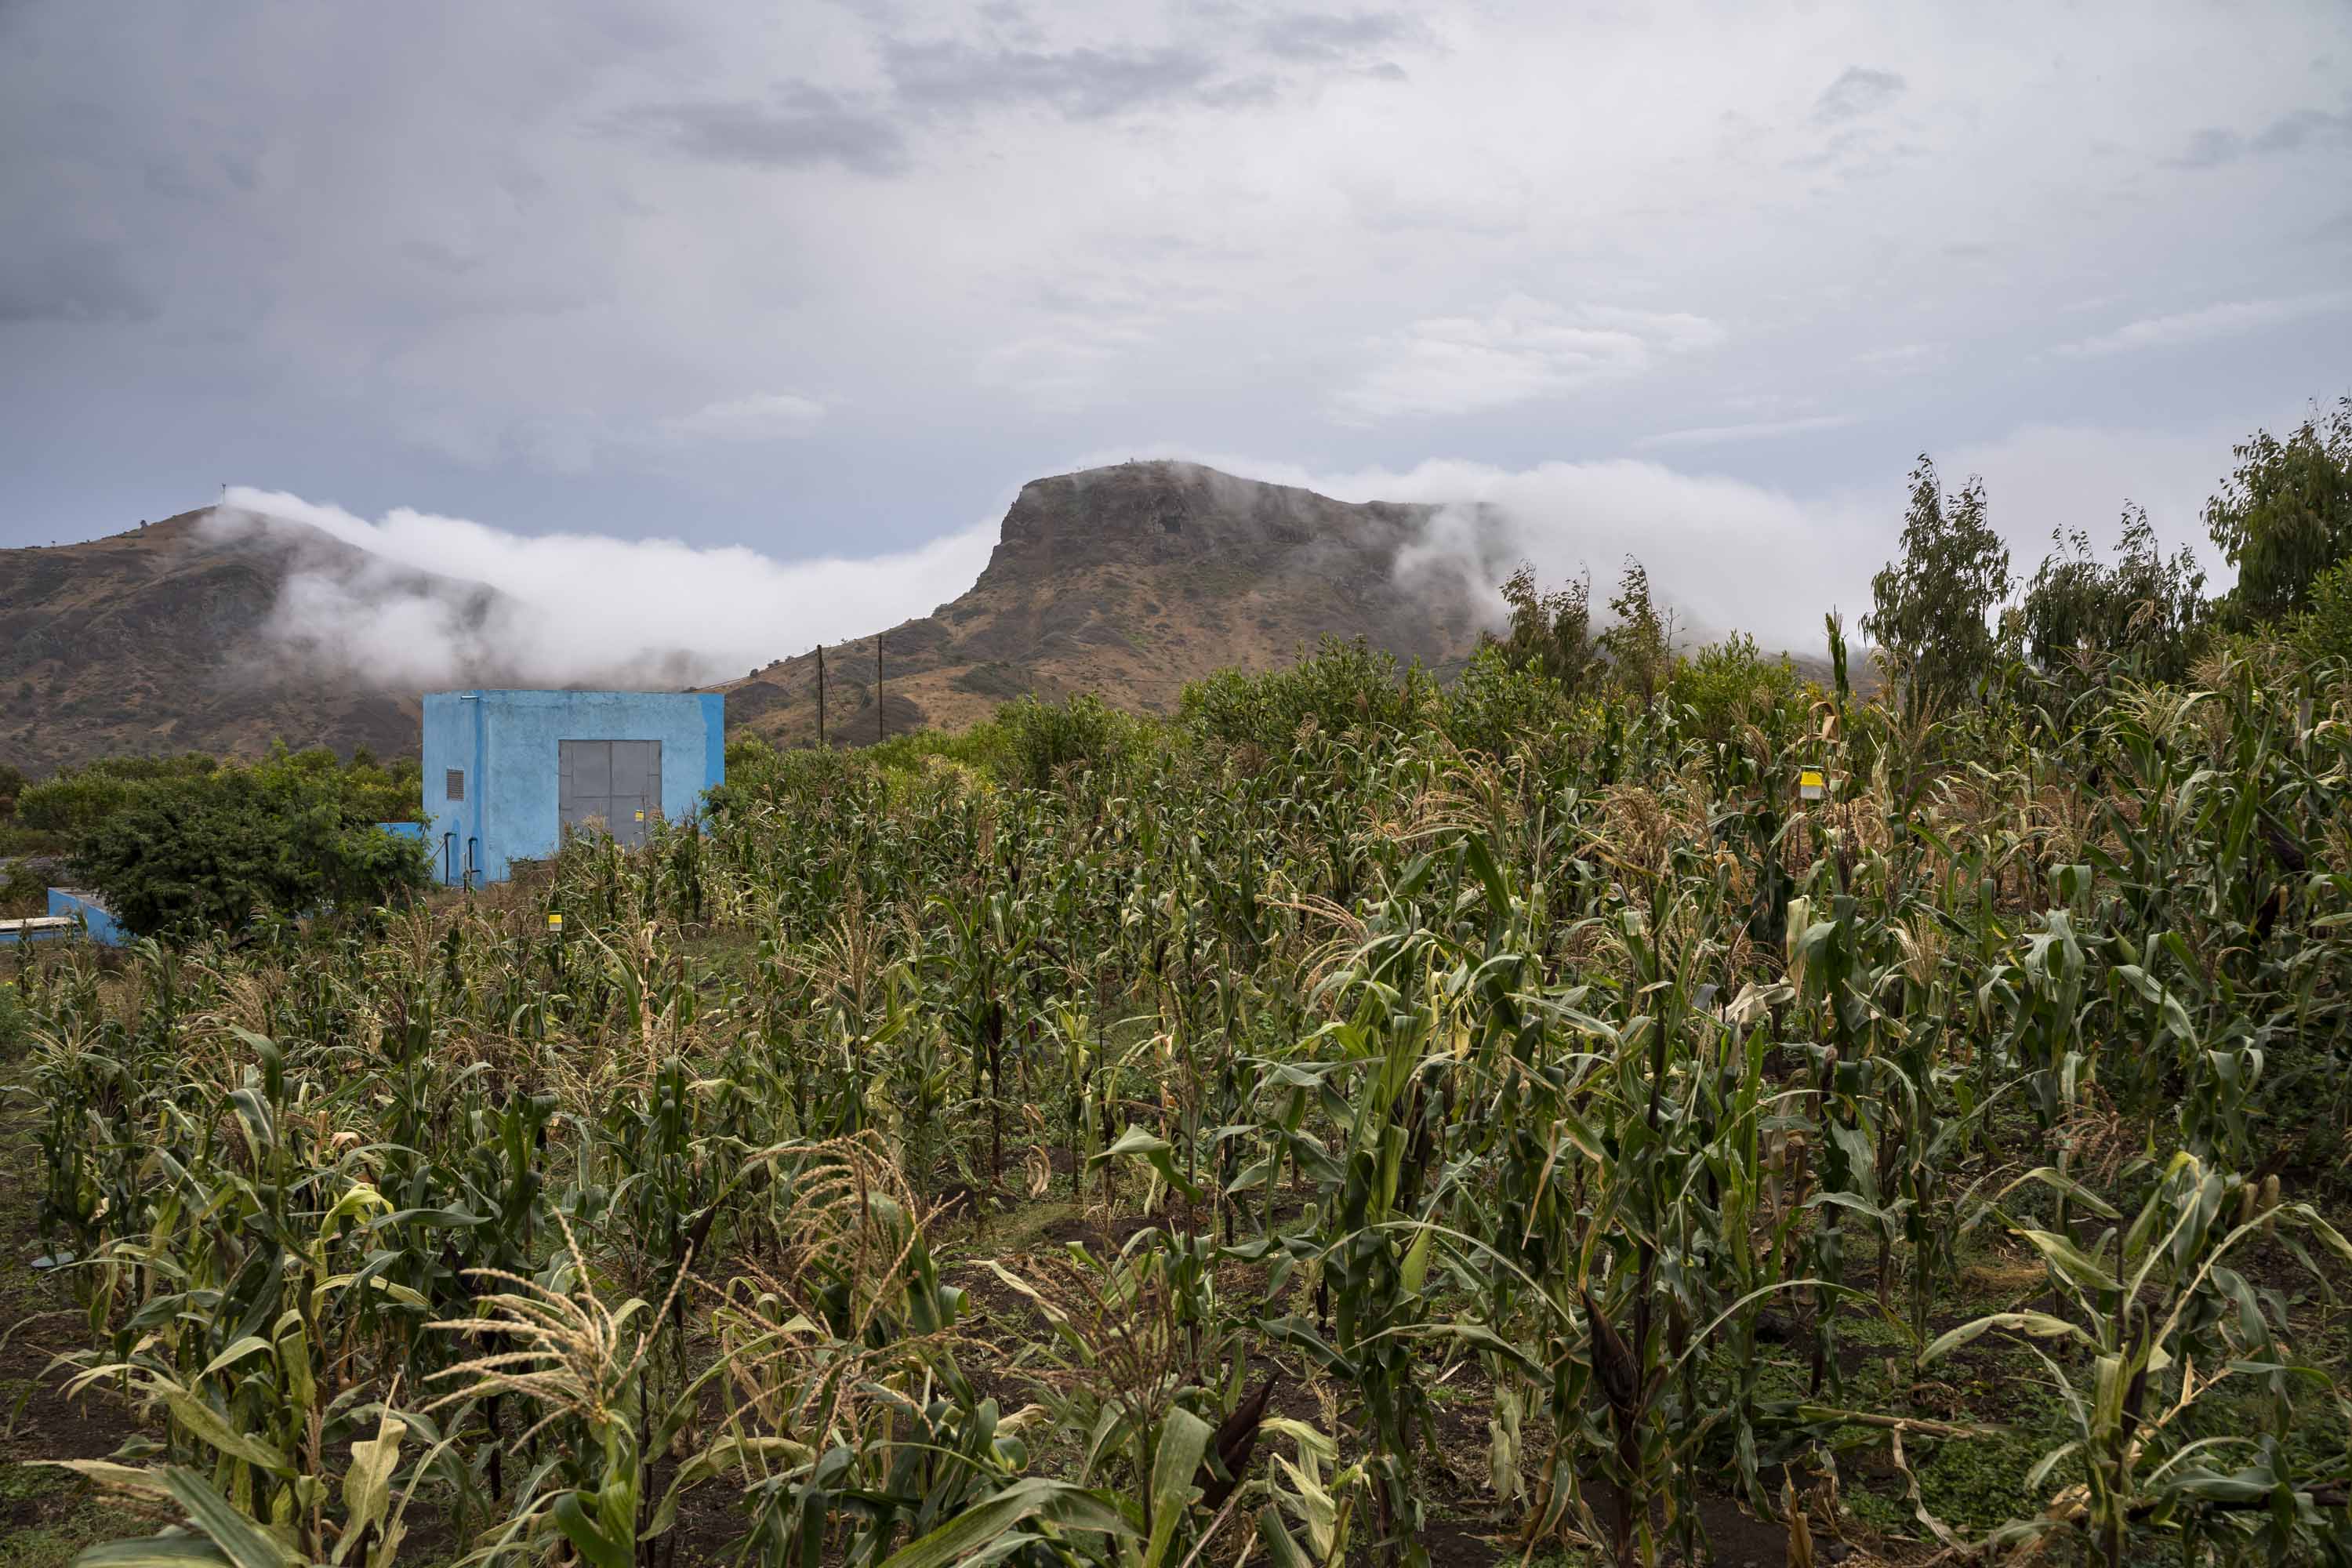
1523, 351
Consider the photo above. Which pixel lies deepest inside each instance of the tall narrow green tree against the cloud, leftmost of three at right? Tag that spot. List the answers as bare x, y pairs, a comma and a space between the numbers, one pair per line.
1932, 608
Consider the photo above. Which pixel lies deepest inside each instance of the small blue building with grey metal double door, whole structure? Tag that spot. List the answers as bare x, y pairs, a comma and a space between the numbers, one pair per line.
509, 772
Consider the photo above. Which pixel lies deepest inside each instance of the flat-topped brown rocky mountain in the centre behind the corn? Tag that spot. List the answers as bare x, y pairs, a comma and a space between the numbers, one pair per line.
1130, 582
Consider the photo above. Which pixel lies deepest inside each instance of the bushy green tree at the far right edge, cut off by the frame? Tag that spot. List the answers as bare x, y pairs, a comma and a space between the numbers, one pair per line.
2287, 514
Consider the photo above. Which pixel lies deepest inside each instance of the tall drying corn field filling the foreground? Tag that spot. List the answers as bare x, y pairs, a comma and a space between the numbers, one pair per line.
1297, 1155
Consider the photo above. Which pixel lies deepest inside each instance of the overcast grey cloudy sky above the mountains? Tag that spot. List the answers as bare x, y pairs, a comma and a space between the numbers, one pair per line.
829, 281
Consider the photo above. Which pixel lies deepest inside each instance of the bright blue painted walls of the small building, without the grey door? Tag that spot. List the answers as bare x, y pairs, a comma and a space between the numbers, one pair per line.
507, 746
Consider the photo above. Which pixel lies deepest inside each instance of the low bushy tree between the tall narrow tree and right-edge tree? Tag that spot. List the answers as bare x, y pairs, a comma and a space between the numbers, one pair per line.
2141, 608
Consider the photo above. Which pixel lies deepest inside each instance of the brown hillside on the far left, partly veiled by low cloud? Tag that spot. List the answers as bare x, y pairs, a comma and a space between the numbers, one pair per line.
156, 641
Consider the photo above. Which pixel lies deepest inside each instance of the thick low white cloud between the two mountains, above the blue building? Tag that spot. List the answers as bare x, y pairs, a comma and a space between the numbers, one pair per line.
425, 601
